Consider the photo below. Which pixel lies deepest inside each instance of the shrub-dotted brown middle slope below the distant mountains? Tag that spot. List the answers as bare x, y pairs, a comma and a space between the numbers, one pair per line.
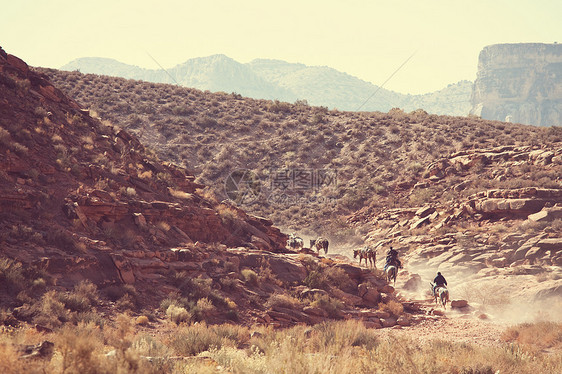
376, 157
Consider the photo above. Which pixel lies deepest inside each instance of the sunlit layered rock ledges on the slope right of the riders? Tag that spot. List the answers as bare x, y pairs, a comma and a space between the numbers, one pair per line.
493, 239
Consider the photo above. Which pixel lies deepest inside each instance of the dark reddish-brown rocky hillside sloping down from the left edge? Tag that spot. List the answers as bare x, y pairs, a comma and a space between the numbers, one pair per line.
93, 224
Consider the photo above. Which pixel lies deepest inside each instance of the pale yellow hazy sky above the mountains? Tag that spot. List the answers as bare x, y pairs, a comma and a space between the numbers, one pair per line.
367, 39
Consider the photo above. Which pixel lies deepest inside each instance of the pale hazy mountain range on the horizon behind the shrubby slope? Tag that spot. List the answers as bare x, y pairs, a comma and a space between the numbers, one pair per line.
281, 80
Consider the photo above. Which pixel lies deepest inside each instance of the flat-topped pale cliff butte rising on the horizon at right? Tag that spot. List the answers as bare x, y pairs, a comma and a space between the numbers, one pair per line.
520, 83
